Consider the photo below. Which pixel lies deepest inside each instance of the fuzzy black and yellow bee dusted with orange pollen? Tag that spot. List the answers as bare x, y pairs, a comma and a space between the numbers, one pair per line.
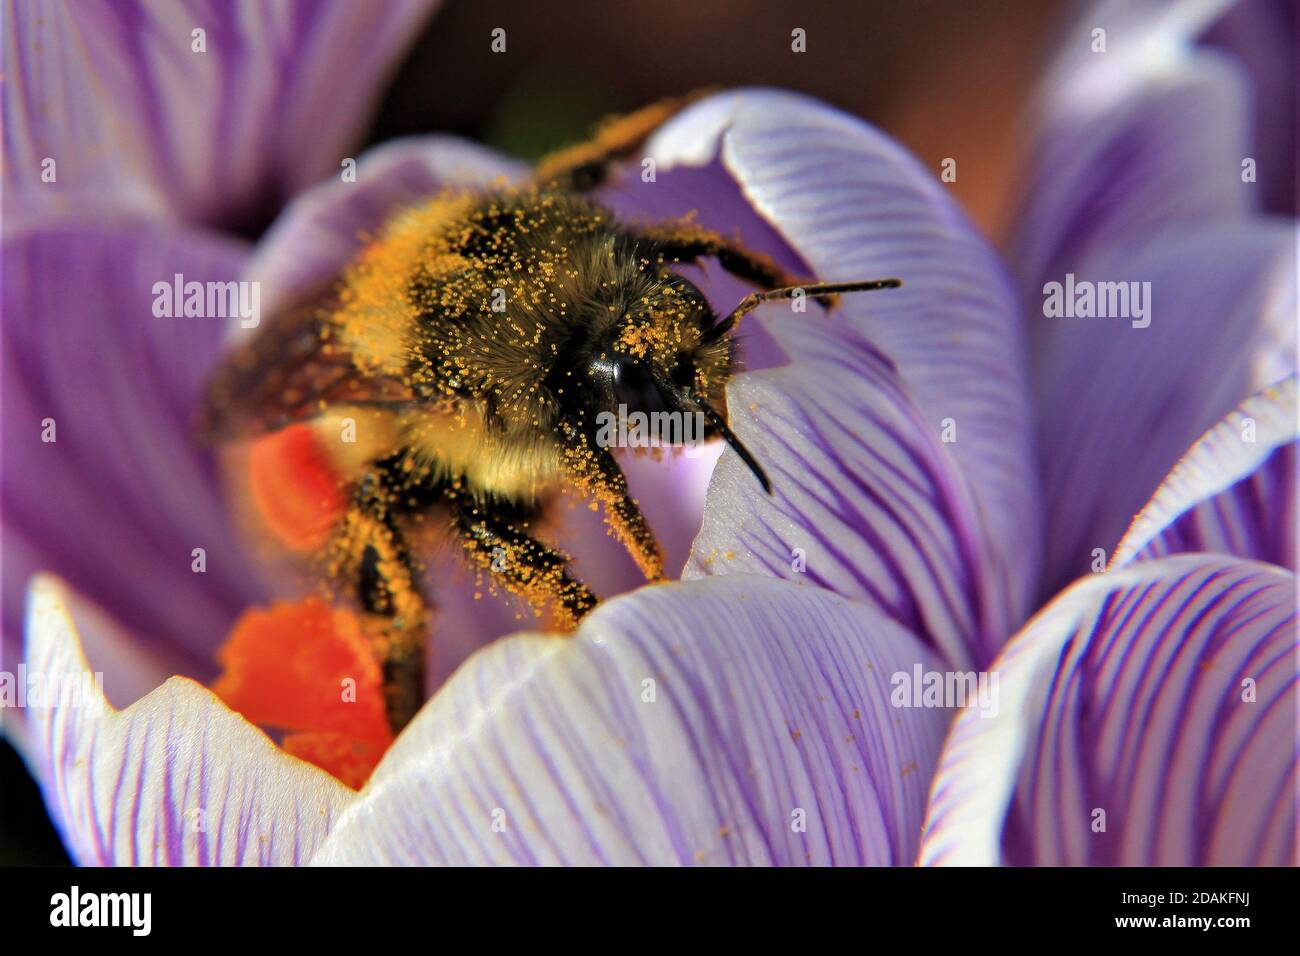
473, 345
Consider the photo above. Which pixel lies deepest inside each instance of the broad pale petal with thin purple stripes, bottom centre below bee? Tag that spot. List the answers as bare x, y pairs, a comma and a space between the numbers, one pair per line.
733, 721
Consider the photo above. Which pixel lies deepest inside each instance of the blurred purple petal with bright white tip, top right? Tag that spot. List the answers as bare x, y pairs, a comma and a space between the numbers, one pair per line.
1136, 131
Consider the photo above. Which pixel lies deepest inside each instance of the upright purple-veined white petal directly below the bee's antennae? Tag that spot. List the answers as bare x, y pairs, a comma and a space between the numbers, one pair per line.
865, 500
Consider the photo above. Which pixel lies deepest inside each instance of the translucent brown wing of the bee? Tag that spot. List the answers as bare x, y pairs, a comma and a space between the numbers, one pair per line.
287, 373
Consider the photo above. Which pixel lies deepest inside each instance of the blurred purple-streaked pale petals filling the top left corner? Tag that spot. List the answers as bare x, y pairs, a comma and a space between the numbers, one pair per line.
138, 110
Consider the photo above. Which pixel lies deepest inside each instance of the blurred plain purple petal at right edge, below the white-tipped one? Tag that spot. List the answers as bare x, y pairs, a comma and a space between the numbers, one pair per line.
1121, 405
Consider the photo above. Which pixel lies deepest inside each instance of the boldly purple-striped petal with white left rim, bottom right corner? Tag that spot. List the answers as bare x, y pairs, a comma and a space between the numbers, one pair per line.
1146, 717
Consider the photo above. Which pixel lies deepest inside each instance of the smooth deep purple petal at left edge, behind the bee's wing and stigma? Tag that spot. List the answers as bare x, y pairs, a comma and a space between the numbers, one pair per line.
120, 500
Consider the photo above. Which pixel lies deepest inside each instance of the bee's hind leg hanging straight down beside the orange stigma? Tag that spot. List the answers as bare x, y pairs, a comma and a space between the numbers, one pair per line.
388, 589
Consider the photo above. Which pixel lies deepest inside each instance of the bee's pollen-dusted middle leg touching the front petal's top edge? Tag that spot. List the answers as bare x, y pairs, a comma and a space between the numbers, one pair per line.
523, 565
